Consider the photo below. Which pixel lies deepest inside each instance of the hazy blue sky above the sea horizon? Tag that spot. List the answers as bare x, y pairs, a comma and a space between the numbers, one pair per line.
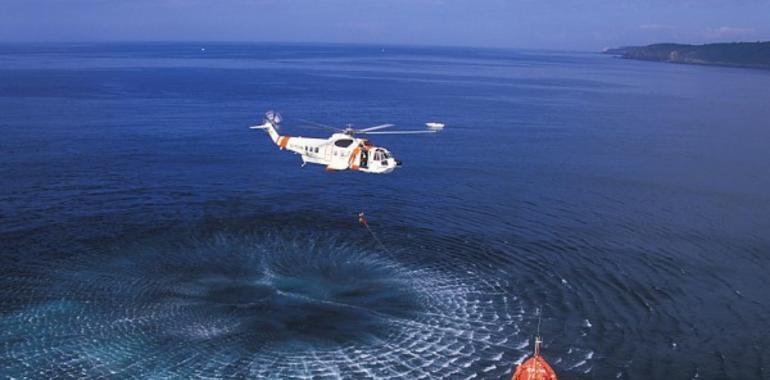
545, 24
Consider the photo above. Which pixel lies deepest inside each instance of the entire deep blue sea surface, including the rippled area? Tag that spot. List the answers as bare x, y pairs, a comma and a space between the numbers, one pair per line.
146, 232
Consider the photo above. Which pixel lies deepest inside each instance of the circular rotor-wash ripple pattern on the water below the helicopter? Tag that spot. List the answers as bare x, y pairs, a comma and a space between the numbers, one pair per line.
261, 301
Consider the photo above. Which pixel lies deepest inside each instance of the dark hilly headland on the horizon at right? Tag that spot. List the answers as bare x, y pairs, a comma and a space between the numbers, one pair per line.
737, 54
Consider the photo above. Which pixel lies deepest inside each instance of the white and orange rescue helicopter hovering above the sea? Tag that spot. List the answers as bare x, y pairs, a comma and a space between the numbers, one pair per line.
342, 151
